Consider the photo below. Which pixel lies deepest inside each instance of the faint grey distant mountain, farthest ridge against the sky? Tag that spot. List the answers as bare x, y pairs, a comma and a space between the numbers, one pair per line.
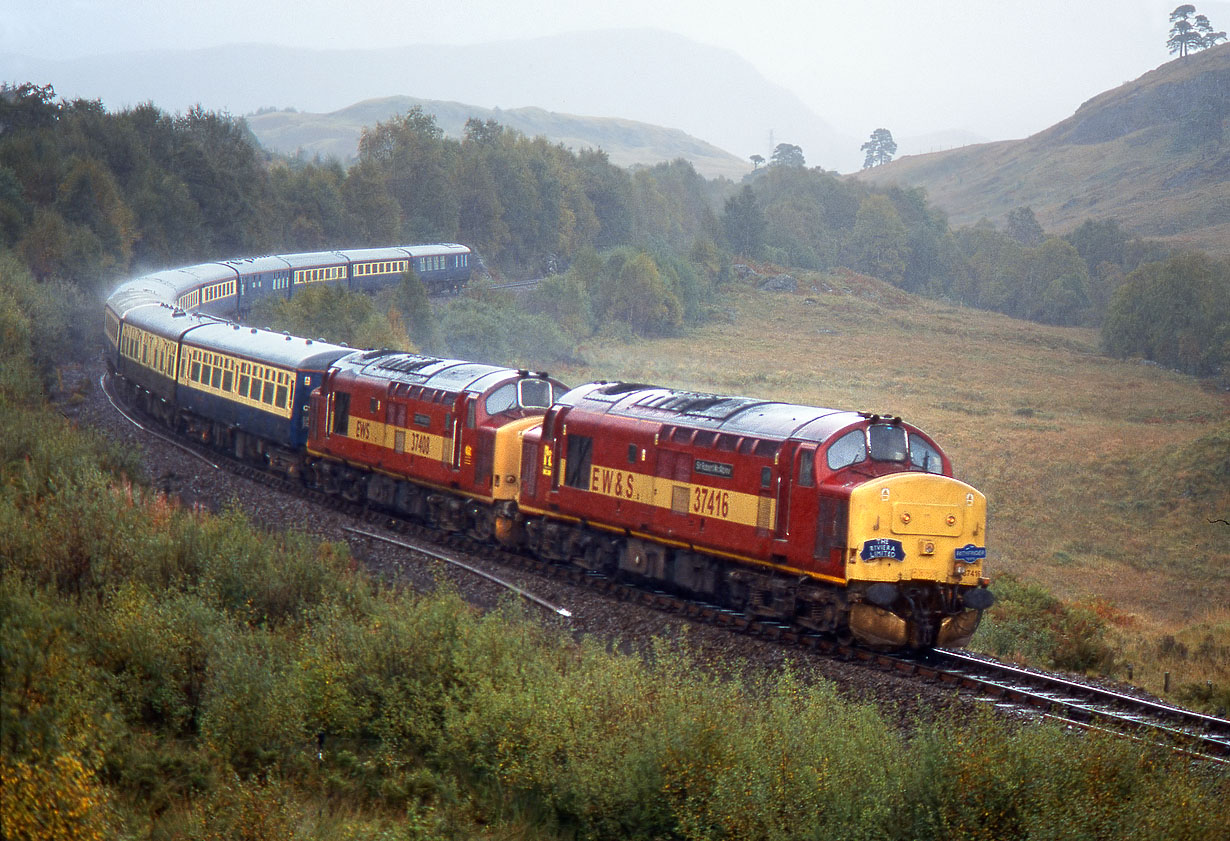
644, 76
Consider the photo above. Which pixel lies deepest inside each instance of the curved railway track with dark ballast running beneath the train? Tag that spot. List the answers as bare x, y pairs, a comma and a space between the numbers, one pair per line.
1026, 692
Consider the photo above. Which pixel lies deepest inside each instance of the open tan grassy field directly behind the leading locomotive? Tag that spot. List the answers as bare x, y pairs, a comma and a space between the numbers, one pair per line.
1066, 443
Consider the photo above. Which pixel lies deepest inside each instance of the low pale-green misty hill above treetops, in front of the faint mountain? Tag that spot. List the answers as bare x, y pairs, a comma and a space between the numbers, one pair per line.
627, 143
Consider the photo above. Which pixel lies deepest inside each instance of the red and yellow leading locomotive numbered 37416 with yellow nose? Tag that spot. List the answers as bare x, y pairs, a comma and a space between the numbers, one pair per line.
832, 521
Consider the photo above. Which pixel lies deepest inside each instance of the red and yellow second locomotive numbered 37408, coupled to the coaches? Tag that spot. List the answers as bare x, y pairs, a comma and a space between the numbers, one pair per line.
434, 440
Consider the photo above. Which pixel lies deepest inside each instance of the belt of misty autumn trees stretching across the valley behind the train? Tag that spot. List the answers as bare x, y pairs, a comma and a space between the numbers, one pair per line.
88, 197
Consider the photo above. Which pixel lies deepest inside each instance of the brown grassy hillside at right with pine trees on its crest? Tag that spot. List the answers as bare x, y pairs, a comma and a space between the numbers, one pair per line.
1152, 154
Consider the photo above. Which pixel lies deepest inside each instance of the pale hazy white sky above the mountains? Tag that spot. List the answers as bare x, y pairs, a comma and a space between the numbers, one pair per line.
997, 68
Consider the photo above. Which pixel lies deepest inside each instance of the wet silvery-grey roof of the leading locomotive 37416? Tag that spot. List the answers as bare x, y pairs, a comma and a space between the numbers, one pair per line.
737, 416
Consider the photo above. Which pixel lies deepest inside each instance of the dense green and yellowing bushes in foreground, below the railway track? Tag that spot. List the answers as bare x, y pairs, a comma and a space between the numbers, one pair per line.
178, 676
